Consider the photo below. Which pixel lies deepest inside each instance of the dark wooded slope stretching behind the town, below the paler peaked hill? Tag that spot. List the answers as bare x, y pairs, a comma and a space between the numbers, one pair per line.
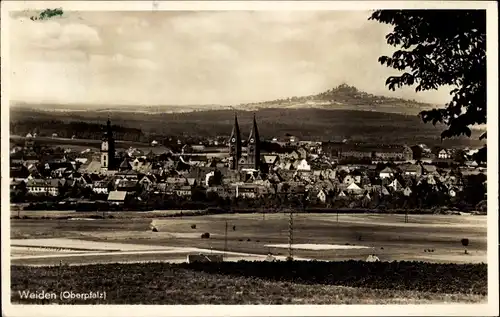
309, 123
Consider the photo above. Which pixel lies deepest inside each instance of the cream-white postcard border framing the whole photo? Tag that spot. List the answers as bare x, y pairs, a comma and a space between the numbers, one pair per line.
490, 309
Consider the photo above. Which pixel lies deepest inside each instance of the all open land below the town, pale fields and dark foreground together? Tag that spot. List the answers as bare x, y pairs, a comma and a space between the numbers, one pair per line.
53, 253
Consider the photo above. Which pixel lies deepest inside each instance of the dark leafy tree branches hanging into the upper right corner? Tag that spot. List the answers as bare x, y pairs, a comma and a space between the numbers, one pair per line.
441, 48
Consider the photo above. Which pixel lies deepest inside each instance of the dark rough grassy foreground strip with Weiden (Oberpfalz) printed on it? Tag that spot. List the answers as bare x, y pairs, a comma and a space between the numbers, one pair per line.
160, 283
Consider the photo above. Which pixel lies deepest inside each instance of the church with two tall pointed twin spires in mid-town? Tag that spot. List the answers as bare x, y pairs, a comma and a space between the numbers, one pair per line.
251, 158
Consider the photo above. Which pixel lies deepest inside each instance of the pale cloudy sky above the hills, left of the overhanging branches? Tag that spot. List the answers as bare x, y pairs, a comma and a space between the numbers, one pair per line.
210, 57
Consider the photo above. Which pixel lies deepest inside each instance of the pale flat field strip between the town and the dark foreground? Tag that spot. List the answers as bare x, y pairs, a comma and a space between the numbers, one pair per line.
429, 238
